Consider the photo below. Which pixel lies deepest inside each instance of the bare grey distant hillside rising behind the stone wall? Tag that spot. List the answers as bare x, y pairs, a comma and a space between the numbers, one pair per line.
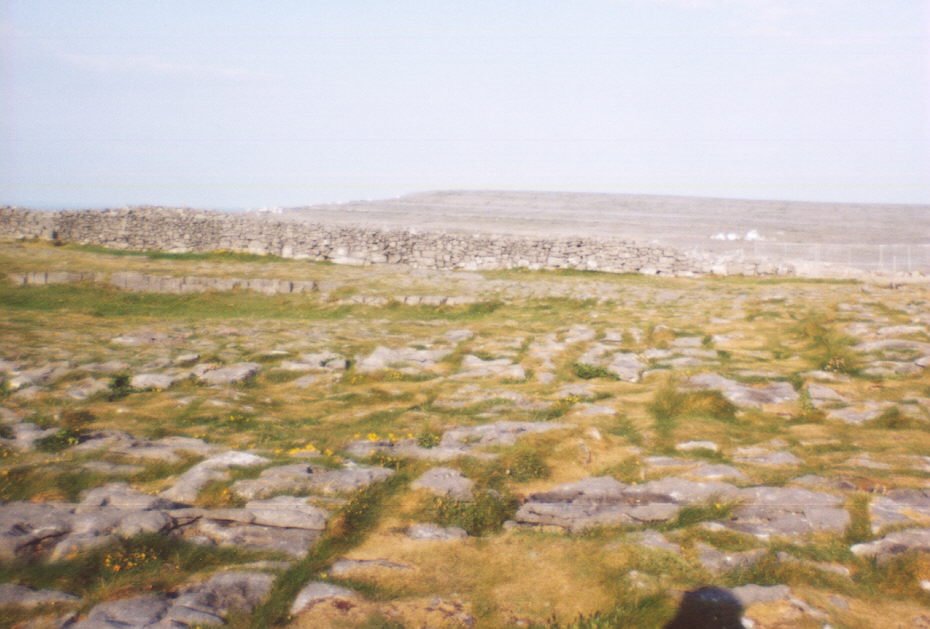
672, 219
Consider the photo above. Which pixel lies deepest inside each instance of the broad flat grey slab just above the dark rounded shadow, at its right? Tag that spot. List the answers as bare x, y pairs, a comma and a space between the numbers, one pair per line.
781, 511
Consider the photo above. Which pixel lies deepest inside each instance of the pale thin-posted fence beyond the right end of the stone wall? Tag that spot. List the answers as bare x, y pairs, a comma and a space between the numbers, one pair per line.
886, 258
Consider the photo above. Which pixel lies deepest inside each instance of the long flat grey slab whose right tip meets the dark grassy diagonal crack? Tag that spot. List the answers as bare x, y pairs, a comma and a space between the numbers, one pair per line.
303, 478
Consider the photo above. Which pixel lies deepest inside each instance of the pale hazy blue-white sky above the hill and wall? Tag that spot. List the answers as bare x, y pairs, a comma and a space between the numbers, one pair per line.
235, 104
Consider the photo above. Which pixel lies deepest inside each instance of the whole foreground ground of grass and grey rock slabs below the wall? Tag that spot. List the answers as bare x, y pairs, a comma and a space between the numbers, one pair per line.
547, 449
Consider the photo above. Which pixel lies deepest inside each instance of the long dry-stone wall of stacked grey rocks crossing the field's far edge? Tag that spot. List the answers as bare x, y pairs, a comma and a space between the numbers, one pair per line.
184, 230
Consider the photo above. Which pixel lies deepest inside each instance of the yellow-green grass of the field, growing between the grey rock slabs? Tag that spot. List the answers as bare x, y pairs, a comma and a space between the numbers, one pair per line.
754, 332
